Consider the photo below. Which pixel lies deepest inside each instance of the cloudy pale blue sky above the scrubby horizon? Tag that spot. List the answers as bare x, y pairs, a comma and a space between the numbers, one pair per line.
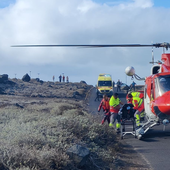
81, 22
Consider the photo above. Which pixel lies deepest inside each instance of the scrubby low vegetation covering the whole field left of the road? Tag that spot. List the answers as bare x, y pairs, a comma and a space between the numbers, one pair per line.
40, 121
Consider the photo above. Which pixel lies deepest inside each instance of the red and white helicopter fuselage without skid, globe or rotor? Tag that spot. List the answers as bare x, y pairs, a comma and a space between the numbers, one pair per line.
157, 91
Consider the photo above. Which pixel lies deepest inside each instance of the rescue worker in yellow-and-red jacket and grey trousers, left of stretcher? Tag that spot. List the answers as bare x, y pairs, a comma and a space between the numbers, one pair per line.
114, 109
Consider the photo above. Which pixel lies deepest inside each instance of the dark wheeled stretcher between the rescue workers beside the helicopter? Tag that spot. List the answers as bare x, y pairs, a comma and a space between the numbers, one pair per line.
127, 120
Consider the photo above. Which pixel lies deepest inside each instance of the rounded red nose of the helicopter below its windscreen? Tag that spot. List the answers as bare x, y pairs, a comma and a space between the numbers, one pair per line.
163, 103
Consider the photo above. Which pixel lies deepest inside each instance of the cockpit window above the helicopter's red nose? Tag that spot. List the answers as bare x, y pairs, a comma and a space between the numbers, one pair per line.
162, 85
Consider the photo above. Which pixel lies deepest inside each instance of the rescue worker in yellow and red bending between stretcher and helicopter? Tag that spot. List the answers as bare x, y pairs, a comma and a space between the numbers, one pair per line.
138, 104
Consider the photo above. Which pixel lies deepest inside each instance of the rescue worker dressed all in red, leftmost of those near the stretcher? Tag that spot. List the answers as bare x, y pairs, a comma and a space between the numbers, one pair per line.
106, 108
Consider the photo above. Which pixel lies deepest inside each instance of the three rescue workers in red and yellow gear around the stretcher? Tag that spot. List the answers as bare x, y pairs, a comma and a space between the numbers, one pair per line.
111, 107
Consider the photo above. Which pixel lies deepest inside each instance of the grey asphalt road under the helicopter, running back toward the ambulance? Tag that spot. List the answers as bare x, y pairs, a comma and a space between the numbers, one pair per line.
154, 147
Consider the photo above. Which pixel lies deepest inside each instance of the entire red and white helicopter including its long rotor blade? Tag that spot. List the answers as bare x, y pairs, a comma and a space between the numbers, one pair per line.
156, 88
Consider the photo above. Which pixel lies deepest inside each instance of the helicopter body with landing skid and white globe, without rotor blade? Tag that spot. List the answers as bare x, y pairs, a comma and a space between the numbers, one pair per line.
156, 94
